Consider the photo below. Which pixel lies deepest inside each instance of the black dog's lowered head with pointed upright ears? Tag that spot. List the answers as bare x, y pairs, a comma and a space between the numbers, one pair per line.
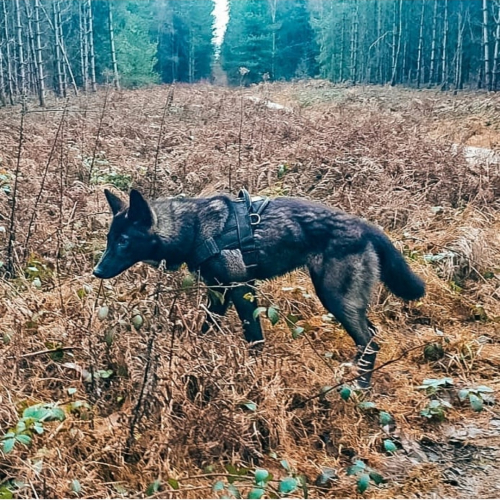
130, 238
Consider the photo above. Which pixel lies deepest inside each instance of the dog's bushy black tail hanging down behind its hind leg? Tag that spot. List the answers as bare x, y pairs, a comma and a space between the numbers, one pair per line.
395, 272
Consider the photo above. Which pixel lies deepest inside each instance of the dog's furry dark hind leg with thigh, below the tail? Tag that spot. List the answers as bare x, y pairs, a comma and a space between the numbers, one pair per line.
344, 287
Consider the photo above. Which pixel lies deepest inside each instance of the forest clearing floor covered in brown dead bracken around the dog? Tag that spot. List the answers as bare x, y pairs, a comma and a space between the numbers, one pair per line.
162, 411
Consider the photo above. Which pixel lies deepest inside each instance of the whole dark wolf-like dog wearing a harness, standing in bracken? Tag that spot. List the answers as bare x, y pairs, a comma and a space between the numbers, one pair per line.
345, 255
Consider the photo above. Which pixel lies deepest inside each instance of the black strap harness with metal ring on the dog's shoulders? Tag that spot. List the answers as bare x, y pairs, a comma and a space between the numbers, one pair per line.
238, 231
